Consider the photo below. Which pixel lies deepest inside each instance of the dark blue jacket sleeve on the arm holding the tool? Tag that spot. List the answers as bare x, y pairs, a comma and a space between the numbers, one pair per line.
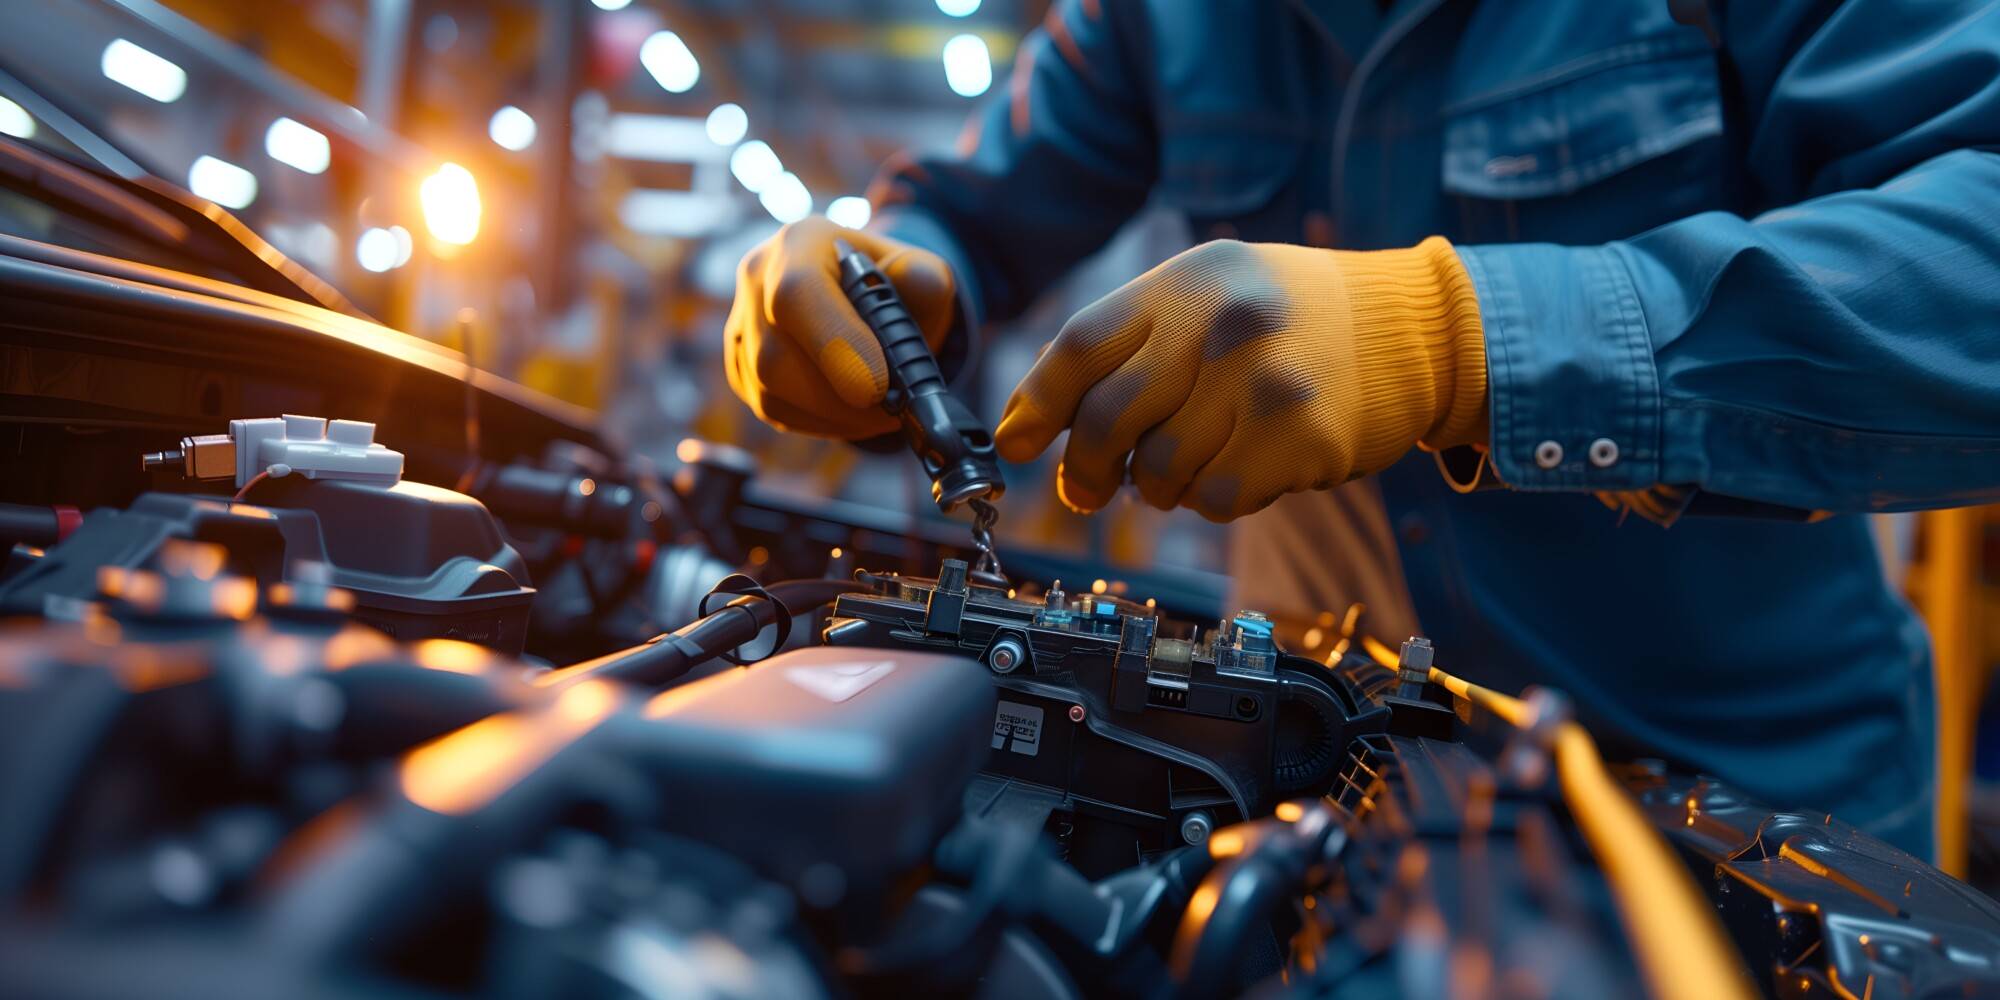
1047, 169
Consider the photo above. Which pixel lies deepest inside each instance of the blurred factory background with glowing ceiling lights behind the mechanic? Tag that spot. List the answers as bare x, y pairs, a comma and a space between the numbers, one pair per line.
563, 187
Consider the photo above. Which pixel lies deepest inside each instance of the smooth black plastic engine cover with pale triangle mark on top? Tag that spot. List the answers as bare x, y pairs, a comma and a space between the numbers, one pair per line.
823, 765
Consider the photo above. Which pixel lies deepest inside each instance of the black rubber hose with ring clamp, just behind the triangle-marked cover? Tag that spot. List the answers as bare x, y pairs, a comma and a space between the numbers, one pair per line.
673, 655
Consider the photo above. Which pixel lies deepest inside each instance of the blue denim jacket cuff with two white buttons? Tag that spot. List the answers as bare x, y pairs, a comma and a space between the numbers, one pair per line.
1569, 369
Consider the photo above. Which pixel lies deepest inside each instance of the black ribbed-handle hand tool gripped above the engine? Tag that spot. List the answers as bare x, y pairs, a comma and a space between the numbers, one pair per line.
955, 449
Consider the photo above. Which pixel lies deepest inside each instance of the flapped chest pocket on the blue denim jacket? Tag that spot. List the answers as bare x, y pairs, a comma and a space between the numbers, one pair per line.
1589, 159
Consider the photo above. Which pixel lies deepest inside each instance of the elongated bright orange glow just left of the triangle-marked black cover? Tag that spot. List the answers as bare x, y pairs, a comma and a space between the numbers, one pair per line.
465, 771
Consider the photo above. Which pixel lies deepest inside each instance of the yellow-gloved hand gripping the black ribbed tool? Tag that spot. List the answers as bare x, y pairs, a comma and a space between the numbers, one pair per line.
795, 349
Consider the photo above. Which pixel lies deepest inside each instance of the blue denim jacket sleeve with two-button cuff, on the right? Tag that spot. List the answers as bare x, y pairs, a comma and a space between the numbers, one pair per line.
1841, 353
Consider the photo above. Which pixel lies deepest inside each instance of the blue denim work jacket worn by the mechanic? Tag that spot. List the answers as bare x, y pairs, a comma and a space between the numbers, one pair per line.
1751, 249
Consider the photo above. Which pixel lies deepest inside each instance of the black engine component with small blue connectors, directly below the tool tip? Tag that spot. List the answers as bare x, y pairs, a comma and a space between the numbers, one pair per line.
1129, 729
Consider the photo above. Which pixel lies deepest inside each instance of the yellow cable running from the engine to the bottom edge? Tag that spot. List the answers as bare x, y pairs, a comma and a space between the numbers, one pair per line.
1675, 933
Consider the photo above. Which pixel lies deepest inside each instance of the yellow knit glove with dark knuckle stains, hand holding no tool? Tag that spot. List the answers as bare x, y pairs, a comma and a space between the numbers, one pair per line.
1239, 373
